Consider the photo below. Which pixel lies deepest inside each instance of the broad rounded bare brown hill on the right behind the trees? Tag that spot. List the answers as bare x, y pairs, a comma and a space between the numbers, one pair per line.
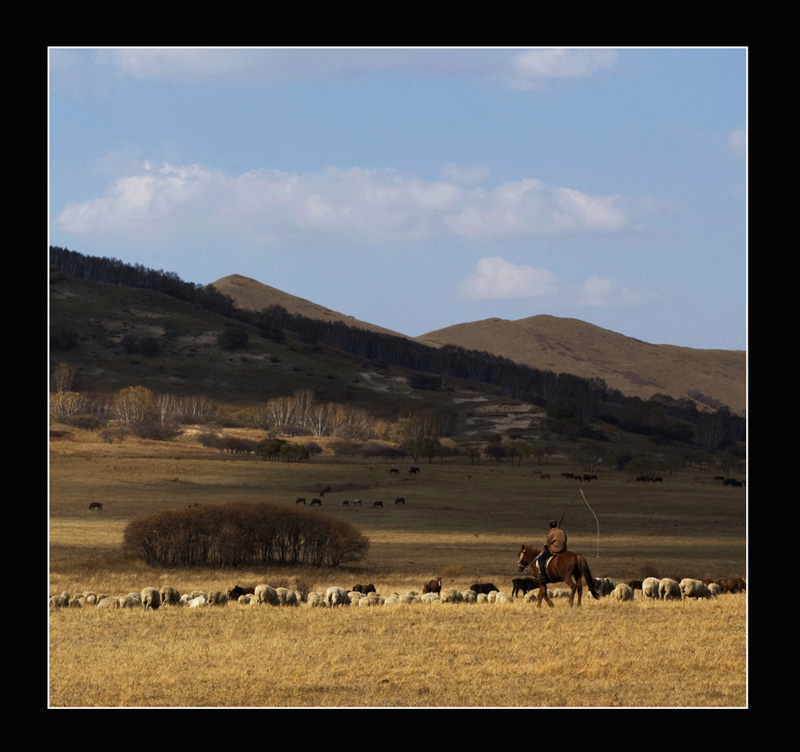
563, 345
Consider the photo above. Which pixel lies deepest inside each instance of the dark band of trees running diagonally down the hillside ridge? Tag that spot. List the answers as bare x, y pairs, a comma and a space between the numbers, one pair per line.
569, 400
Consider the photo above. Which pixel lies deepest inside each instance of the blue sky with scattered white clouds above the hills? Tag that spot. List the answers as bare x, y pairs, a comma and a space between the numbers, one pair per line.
417, 188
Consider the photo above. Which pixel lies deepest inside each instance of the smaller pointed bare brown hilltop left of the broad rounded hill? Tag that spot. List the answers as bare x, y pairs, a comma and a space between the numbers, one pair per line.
252, 295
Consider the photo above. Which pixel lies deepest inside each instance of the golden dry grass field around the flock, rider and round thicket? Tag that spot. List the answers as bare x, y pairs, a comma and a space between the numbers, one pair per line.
465, 521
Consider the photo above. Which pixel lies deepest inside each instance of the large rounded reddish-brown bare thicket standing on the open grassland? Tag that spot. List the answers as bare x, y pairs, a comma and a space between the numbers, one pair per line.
242, 535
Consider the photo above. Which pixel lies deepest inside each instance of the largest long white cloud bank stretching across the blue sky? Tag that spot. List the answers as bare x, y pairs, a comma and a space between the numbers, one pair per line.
354, 203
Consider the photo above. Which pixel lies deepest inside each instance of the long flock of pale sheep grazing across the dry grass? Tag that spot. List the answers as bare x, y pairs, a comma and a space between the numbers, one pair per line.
523, 588
